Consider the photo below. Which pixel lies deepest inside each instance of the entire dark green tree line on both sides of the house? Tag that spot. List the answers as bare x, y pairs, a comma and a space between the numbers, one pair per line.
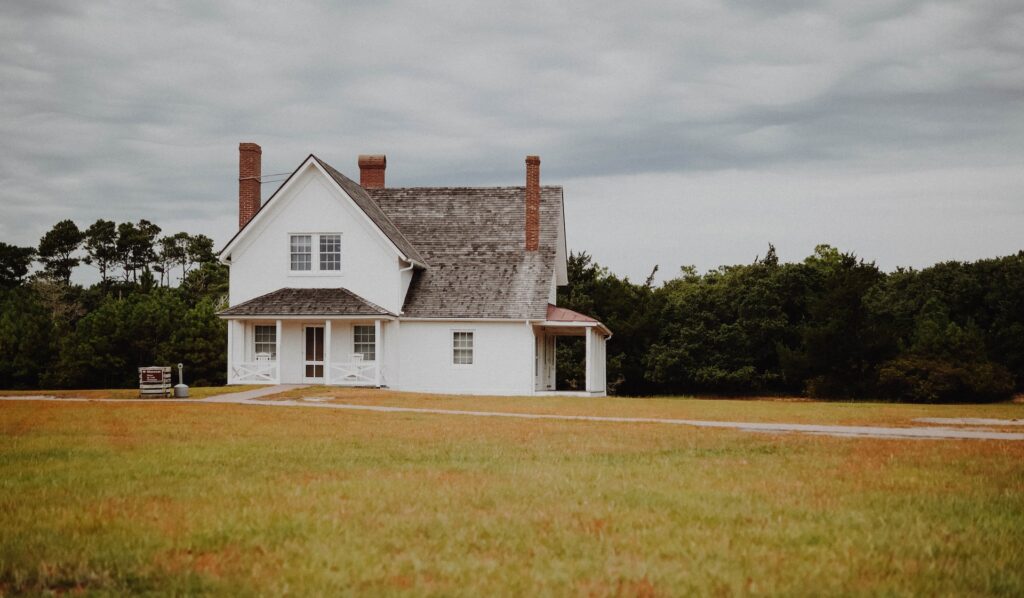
832, 326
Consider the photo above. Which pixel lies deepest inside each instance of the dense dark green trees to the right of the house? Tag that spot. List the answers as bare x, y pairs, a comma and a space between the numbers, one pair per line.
833, 326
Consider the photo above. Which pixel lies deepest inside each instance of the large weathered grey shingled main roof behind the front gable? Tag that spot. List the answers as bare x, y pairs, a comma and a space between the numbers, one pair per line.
475, 240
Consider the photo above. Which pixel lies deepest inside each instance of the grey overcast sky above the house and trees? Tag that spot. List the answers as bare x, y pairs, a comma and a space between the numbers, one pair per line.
684, 133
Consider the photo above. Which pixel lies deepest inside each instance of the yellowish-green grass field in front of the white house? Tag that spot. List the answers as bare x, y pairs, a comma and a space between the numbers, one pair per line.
113, 498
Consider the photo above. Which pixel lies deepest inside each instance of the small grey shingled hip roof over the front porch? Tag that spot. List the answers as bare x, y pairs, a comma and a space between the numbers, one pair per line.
307, 303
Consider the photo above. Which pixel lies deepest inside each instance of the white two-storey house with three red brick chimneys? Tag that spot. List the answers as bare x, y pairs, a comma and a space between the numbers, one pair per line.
424, 289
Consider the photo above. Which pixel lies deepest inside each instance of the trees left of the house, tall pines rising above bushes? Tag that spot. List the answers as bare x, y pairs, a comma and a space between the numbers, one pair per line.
155, 304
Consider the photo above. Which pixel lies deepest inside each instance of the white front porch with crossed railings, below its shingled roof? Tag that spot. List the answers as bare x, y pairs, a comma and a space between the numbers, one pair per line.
340, 352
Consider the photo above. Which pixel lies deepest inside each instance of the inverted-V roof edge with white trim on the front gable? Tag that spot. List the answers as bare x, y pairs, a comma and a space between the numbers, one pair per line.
350, 189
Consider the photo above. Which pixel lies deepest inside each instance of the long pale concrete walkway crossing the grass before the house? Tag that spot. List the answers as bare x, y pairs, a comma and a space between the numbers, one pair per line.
251, 398
